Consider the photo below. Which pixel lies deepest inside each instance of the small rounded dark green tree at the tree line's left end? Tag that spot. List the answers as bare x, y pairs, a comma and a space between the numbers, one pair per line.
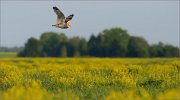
32, 48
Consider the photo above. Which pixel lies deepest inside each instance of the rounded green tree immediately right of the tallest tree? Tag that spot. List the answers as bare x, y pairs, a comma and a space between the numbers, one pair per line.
137, 47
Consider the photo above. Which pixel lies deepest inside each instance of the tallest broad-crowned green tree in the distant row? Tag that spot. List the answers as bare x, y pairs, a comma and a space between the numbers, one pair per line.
116, 41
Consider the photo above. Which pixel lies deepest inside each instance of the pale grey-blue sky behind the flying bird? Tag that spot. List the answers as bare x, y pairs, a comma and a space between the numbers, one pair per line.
154, 20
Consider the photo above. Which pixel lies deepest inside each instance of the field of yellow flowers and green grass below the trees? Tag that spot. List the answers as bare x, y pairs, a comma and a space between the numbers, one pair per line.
89, 79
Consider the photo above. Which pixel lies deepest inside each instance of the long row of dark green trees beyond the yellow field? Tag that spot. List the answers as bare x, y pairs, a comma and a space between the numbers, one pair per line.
115, 42
